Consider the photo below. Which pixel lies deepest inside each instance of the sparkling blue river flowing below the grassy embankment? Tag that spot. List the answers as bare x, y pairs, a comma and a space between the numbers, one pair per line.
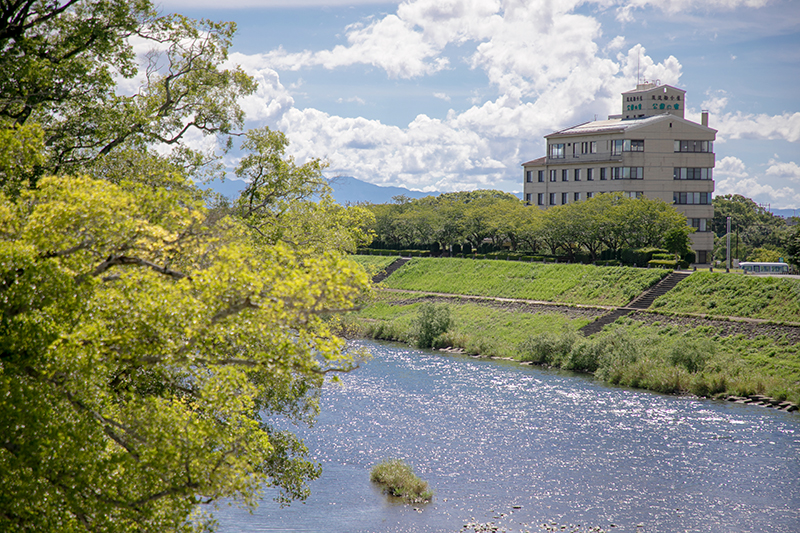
523, 447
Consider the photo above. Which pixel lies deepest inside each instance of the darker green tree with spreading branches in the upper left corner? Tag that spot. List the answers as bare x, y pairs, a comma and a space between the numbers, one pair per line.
61, 64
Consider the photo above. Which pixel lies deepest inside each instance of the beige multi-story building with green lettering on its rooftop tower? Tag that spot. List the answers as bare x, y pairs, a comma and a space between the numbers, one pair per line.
649, 150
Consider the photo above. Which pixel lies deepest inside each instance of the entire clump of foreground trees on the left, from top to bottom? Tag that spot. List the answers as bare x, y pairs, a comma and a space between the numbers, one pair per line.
152, 337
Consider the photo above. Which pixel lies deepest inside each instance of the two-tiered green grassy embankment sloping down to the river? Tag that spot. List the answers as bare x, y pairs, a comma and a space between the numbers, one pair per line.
664, 357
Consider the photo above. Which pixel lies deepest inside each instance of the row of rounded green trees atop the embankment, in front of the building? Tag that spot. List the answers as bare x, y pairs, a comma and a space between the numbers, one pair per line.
609, 221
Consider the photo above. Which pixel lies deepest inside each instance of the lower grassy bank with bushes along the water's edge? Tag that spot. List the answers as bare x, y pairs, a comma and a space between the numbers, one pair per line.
703, 357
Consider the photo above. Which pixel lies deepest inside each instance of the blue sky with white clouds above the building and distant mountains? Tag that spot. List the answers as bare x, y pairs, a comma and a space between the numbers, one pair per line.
445, 95
